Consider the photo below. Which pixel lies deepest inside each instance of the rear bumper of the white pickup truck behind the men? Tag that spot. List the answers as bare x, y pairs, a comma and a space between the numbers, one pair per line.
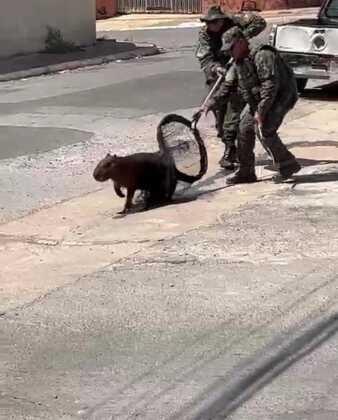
313, 66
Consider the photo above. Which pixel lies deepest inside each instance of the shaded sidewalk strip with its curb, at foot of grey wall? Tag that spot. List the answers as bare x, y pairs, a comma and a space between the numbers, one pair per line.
103, 51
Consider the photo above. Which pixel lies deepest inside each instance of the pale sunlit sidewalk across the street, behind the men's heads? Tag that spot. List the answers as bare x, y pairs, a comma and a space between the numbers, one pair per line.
162, 21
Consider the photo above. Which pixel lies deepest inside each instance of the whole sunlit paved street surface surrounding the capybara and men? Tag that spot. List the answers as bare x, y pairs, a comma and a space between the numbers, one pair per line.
222, 305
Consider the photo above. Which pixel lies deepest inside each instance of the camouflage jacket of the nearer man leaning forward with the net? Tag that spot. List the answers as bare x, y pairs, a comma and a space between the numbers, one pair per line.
264, 80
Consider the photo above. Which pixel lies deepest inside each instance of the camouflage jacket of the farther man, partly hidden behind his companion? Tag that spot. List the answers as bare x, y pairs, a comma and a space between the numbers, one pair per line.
208, 50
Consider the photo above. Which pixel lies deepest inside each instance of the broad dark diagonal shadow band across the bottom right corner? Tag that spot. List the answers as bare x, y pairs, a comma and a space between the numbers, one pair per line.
260, 371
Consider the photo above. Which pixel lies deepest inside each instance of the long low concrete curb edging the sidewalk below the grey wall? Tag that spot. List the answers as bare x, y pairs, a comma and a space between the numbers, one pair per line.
139, 51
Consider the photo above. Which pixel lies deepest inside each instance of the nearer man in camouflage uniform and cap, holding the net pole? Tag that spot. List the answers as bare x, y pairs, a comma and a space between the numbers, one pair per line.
269, 89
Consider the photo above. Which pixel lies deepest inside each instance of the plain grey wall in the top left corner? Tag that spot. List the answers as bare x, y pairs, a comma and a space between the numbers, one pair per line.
23, 23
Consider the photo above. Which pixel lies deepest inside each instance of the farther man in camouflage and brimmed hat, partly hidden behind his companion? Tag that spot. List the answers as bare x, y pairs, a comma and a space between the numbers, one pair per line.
214, 61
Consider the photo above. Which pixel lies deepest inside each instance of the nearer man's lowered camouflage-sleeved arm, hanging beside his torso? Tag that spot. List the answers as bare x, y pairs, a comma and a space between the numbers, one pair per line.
265, 62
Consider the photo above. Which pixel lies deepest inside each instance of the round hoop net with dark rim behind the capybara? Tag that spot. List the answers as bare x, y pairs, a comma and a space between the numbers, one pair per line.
177, 135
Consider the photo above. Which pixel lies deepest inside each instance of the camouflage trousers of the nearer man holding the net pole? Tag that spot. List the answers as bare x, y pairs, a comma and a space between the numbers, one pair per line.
269, 138
